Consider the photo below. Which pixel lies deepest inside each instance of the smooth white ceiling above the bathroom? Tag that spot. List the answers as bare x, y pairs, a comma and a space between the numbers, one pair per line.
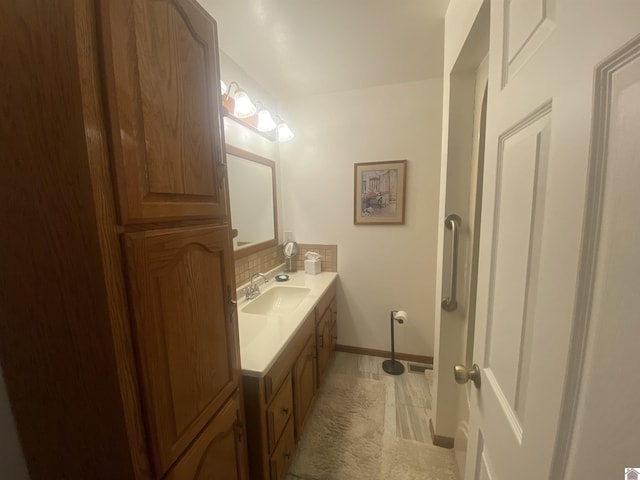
297, 48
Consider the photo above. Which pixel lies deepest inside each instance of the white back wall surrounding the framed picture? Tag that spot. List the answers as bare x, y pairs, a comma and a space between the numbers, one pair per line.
380, 267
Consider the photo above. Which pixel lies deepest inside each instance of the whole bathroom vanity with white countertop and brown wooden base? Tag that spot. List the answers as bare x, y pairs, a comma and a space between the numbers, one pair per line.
284, 349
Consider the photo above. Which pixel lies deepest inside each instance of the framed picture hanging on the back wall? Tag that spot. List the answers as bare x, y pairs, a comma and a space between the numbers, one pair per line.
380, 193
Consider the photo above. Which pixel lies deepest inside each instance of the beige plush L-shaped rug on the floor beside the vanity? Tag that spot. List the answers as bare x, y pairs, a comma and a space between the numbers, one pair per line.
344, 439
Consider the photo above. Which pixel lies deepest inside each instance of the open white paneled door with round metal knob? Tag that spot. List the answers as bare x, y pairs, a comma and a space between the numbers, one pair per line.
543, 254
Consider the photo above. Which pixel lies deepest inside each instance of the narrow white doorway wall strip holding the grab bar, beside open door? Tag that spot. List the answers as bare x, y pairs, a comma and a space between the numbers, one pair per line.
466, 45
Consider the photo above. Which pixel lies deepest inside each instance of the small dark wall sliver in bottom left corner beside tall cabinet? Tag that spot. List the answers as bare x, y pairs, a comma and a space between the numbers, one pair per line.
12, 463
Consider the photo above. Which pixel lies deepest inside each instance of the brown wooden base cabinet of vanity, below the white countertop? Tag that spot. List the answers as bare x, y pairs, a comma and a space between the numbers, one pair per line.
273, 428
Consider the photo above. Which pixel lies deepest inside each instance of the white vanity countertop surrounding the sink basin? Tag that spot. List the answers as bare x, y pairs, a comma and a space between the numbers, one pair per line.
264, 337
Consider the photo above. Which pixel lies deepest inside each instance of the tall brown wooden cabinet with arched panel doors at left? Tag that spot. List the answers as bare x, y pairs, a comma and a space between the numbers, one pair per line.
118, 329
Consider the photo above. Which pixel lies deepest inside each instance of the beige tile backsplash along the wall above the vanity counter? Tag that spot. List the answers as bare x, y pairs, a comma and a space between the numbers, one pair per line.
271, 257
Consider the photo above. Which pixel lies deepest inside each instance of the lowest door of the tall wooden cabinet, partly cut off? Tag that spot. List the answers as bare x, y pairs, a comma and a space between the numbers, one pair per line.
219, 452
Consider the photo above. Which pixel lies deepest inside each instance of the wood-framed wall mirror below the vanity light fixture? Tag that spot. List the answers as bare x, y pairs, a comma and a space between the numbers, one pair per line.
252, 196
